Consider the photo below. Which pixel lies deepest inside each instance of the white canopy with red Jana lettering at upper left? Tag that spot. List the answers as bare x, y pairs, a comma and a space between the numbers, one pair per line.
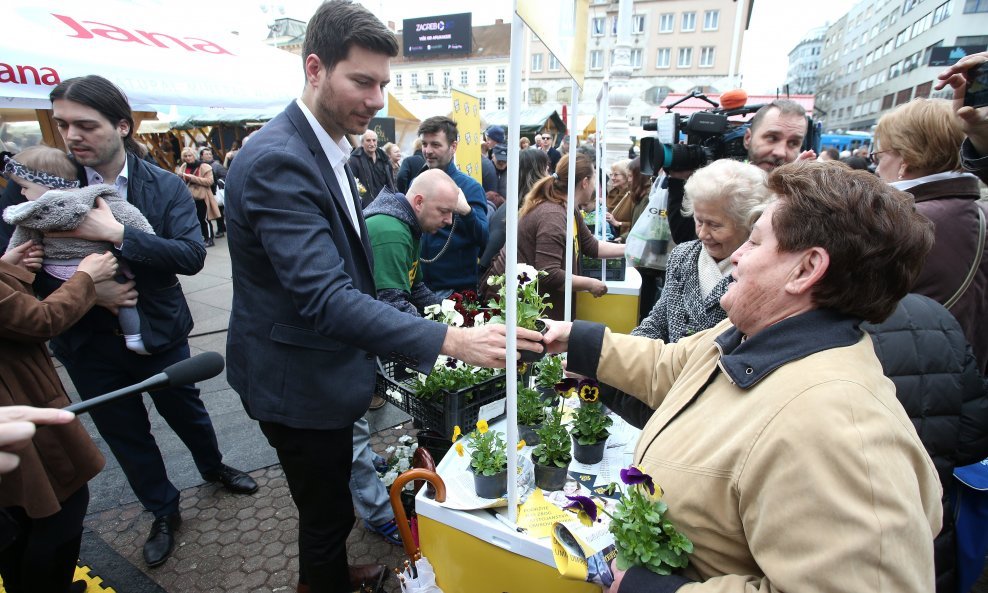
158, 58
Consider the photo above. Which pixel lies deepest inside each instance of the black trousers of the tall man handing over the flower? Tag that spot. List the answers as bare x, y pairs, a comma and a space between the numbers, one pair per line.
317, 467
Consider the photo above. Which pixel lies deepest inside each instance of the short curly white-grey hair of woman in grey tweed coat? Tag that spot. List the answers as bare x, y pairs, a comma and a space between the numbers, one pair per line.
740, 187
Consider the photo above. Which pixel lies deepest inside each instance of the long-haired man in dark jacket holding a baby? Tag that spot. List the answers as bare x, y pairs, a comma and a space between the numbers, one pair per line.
95, 121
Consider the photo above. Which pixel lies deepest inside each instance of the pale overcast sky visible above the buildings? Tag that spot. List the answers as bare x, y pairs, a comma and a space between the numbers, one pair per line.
776, 25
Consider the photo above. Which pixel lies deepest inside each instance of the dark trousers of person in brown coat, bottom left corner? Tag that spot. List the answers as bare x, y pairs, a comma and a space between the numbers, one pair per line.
43, 557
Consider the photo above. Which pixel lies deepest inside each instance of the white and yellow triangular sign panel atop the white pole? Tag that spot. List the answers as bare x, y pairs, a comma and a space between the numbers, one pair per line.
562, 26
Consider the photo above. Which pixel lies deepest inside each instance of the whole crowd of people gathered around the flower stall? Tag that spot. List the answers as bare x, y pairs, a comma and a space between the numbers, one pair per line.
810, 358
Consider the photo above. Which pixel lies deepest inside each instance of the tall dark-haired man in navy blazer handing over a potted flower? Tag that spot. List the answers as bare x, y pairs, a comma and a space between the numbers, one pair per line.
305, 326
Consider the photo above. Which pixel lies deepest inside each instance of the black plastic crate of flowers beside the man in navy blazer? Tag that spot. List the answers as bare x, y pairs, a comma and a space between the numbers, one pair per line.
459, 408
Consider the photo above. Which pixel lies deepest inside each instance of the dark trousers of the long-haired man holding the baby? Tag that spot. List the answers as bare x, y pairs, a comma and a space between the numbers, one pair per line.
104, 365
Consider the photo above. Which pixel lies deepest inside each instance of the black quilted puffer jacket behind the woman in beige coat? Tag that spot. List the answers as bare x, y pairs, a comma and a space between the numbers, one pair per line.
923, 350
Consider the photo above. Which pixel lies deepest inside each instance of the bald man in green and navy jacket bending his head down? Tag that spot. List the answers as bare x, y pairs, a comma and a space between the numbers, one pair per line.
395, 223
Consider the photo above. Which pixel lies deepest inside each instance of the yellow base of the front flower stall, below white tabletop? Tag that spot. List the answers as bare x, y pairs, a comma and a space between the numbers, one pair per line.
465, 564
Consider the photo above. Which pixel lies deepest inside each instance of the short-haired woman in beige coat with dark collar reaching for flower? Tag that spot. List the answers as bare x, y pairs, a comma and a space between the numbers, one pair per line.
781, 448
